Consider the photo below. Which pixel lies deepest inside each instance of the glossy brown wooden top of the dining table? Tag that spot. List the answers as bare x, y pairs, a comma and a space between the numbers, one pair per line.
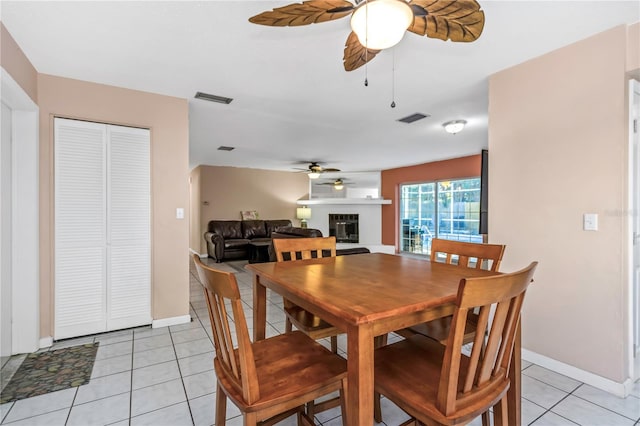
365, 288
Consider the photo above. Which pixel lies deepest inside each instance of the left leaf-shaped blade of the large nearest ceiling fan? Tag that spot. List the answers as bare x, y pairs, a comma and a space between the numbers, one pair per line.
305, 13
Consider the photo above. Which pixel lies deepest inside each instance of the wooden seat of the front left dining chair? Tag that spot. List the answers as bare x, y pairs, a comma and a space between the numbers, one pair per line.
290, 367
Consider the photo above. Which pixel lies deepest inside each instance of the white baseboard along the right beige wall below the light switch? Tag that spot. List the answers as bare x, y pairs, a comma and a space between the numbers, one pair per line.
621, 390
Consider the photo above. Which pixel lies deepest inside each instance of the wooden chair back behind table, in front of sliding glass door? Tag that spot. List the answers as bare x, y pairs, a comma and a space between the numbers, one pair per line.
487, 256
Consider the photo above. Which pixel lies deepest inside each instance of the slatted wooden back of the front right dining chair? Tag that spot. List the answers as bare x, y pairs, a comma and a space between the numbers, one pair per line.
483, 376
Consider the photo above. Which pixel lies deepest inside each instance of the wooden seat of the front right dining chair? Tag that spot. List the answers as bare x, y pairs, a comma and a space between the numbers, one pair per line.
408, 373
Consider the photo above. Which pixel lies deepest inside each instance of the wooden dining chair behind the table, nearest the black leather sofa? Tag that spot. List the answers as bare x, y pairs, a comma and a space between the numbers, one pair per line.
288, 249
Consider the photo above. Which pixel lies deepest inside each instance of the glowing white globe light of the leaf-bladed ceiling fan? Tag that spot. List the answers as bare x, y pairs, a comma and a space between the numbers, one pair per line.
381, 24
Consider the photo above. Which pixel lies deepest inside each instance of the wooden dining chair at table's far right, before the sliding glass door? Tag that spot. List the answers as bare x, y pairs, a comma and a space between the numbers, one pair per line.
466, 255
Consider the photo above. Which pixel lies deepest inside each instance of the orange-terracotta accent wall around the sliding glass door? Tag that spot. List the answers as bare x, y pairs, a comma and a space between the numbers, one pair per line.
457, 168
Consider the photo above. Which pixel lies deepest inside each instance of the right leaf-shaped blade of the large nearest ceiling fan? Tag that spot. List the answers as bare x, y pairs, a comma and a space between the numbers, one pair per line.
460, 21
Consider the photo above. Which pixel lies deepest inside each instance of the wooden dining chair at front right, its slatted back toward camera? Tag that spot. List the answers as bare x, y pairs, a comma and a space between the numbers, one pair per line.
437, 384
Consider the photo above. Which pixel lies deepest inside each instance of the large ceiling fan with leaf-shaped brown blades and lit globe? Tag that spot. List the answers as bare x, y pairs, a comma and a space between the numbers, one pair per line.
458, 21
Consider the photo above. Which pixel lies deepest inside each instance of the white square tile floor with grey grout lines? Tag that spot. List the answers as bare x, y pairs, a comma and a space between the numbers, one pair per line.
165, 376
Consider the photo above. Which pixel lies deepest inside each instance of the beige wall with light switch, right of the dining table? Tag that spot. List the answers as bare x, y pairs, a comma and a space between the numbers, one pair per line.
558, 149
